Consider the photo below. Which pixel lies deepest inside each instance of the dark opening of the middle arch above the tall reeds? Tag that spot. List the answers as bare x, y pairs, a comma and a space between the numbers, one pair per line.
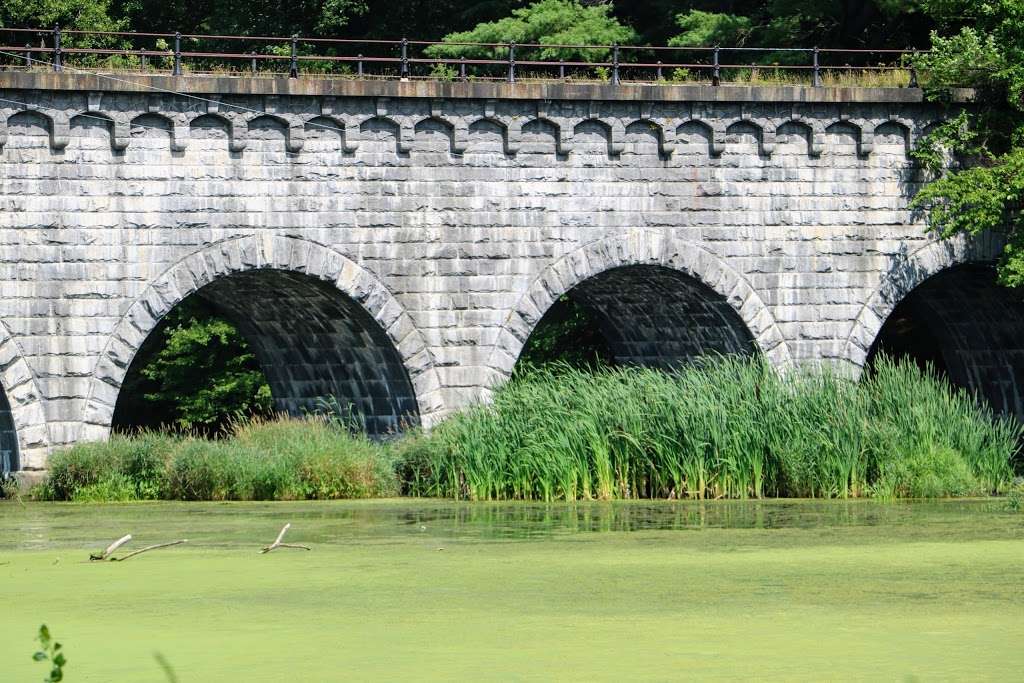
643, 316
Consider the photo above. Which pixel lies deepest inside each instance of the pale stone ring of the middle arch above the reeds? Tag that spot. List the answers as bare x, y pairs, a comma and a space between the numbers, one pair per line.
637, 248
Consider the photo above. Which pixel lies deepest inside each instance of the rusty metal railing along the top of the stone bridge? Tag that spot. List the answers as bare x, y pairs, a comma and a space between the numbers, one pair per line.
181, 55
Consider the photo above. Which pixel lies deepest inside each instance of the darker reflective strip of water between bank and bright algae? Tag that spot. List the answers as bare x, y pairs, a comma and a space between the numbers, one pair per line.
231, 525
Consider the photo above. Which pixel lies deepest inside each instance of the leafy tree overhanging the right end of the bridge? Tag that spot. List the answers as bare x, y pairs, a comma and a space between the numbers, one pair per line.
977, 159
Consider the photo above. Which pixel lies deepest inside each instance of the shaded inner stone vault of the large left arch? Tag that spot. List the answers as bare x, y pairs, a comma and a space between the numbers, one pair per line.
313, 344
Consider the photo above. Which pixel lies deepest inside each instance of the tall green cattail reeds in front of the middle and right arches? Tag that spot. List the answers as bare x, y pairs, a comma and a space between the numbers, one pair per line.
722, 429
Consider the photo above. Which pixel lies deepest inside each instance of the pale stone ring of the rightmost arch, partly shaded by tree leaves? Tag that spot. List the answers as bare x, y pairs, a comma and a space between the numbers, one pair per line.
904, 276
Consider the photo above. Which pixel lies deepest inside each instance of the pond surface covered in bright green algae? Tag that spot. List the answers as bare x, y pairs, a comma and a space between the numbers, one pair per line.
411, 589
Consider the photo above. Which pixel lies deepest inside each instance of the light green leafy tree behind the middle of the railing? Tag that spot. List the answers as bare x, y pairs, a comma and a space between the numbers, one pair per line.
545, 23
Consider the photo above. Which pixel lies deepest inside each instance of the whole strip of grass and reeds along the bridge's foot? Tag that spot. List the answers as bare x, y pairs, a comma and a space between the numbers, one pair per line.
726, 429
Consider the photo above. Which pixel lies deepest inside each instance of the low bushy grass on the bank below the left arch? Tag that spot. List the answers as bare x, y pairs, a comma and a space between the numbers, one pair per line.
285, 459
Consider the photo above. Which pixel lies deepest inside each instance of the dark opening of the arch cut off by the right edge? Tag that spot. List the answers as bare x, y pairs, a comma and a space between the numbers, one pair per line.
968, 328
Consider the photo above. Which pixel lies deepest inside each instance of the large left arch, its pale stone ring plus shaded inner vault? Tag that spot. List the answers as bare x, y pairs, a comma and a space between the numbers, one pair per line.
319, 323
